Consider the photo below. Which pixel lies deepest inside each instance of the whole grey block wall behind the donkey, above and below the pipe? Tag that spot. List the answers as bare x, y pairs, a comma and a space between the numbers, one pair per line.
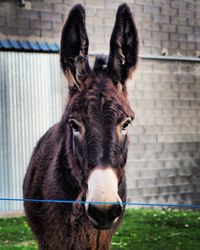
164, 155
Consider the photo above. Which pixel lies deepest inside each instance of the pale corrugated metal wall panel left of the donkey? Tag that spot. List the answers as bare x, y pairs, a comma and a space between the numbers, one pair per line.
30, 102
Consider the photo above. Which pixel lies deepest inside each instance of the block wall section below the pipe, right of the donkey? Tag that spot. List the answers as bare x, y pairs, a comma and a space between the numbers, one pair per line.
164, 155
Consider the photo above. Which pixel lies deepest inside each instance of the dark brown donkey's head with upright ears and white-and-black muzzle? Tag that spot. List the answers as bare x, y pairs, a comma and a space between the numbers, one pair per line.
98, 112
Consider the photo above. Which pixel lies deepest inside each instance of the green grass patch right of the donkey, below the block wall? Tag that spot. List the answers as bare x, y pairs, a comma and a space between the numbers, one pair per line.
148, 229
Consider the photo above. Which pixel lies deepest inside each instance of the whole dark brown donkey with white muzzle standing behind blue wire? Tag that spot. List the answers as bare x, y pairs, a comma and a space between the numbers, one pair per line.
83, 156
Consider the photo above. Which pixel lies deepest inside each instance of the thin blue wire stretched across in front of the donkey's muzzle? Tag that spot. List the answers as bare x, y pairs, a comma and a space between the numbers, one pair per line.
104, 203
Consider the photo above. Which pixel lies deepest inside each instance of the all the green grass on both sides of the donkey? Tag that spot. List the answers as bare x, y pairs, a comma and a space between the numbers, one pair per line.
143, 229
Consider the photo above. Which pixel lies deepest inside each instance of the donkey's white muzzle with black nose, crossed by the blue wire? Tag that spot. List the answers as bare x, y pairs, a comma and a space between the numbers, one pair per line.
103, 202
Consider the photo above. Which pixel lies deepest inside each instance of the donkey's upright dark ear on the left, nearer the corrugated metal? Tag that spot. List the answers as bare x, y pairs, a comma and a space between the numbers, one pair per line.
74, 48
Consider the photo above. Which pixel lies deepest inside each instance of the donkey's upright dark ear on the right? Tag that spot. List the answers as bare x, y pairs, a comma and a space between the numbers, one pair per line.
123, 47
